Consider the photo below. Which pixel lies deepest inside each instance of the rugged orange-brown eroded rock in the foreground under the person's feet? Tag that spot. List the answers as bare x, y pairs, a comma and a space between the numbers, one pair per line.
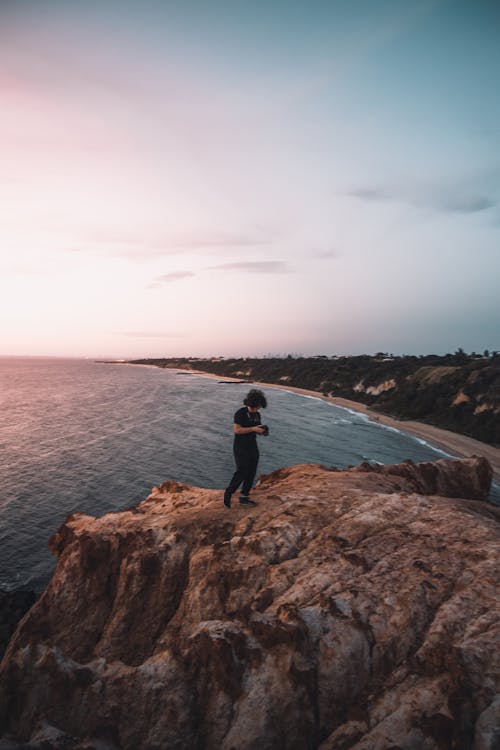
350, 609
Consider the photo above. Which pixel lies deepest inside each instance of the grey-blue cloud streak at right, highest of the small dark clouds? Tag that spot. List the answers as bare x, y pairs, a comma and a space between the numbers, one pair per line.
448, 199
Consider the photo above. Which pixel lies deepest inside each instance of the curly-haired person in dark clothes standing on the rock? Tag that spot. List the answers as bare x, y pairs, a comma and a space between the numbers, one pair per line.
246, 427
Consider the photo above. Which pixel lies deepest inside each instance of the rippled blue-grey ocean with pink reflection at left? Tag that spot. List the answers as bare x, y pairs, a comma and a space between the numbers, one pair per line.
89, 437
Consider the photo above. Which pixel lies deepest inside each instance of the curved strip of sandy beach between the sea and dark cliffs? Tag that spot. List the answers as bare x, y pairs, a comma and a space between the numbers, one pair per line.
459, 446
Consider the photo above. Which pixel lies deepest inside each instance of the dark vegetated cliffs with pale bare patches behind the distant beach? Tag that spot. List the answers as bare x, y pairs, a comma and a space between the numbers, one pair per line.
458, 392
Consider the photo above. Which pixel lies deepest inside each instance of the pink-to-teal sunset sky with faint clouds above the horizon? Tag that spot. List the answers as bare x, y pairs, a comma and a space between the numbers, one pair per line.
192, 178
